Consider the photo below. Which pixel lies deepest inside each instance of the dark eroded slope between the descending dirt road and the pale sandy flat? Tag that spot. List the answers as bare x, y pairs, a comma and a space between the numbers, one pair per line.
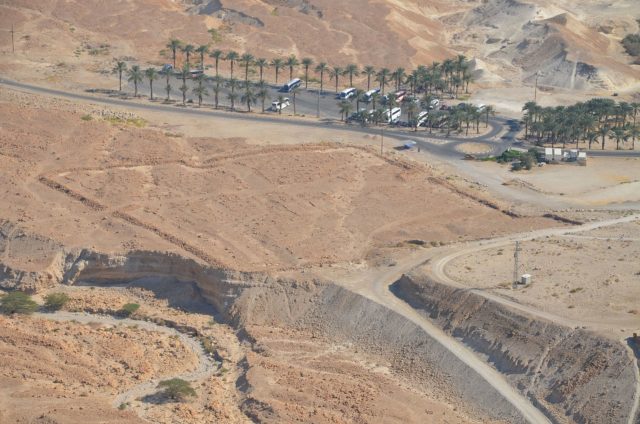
575, 375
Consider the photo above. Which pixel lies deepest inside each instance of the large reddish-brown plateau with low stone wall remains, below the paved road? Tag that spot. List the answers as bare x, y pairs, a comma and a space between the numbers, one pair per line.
123, 188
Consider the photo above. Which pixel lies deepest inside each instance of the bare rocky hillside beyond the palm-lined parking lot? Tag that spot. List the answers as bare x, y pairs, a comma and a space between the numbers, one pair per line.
72, 44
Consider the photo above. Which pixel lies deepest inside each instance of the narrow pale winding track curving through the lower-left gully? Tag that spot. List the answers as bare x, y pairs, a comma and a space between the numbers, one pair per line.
205, 368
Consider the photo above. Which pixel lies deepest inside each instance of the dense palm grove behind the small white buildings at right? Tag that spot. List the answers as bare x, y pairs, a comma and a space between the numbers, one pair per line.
594, 121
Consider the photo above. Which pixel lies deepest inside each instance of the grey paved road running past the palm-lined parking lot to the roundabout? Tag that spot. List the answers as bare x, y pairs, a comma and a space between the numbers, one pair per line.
444, 147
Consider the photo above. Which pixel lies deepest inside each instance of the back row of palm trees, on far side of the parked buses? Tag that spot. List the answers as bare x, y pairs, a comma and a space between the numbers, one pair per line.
450, 76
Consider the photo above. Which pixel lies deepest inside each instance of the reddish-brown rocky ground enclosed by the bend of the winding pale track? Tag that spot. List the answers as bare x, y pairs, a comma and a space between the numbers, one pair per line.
66, 372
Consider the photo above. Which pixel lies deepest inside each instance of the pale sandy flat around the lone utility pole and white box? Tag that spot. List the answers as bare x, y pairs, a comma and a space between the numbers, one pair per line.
595, 271
